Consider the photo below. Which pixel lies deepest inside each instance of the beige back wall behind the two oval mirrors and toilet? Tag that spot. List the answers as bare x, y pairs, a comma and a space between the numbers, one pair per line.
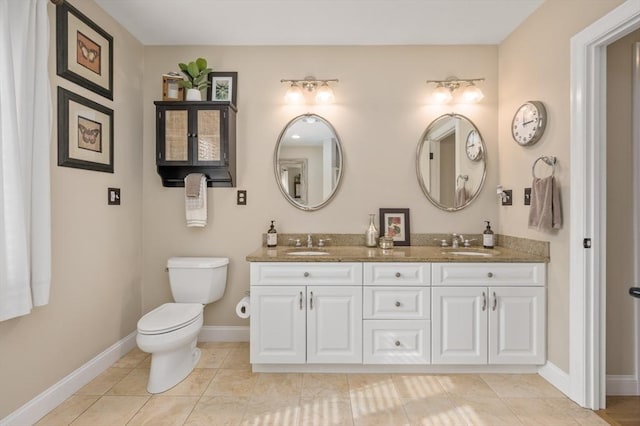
379, 115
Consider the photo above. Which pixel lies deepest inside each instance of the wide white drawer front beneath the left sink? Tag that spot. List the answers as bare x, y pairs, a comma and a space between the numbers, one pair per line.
314, 273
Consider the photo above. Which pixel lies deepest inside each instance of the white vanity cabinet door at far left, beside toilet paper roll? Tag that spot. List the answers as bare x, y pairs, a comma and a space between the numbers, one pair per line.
278, 325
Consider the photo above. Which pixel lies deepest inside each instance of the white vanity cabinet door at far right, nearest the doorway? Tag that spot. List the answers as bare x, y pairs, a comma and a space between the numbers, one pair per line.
517, 325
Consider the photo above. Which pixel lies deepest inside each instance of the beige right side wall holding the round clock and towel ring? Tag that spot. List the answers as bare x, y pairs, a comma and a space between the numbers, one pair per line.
534, 65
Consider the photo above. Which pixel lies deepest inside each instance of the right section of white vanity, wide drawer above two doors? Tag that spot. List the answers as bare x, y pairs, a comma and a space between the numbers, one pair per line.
488, 313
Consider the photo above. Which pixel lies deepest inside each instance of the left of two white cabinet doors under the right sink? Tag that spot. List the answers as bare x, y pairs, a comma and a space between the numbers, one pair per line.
459, 318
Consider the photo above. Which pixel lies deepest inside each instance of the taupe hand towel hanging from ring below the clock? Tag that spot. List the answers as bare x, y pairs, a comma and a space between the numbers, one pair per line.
545, 212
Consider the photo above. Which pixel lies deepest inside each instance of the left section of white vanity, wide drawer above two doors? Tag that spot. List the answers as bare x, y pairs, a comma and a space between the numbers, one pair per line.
306, 312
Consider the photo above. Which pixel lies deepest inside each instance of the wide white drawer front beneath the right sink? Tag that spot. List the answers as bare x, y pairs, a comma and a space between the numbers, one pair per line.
488, 274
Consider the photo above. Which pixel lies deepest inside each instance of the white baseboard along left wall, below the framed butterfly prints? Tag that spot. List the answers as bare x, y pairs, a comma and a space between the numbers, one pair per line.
39, 406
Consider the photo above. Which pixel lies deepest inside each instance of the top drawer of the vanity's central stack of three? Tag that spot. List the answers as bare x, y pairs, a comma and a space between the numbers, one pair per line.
397, 273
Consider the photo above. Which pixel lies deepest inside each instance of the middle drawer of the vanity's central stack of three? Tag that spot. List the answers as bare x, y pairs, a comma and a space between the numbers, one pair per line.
397, 302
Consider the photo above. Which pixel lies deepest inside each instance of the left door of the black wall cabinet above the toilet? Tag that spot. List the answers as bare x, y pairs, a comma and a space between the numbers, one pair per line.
173, 136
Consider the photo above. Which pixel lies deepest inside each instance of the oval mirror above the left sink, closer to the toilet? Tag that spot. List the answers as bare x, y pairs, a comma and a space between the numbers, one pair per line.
308, 162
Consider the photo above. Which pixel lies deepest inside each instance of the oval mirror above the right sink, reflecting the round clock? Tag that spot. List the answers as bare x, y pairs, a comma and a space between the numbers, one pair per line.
451, 162
